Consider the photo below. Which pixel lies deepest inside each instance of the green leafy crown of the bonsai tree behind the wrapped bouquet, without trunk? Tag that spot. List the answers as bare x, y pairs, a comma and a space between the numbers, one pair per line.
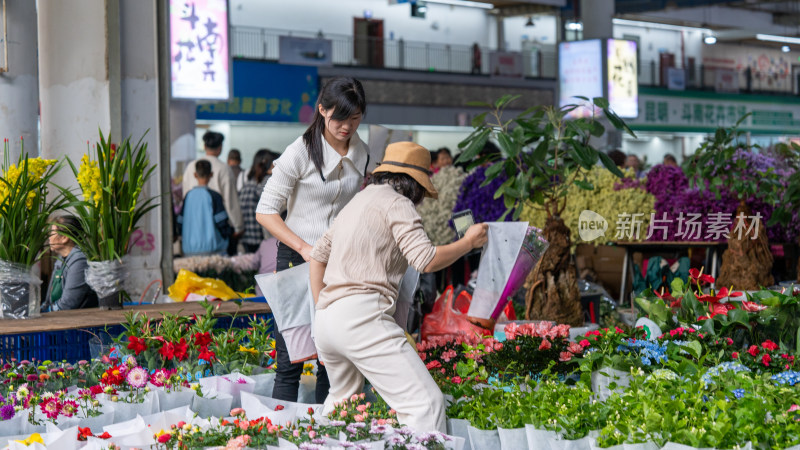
541, 152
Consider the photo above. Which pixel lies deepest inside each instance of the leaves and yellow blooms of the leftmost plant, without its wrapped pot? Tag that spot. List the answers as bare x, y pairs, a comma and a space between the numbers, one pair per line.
26, 206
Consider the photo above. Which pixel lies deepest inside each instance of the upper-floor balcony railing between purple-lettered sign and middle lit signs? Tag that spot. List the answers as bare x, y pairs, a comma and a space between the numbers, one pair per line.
262, 43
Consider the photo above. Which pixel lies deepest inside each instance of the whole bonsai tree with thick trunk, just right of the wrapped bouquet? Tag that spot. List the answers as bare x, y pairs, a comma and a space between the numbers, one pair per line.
542, 152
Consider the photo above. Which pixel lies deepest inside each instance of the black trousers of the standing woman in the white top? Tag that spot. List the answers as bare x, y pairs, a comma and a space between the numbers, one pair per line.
287, 375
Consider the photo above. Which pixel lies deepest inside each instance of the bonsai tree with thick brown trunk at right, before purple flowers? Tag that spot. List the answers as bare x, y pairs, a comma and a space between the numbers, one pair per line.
747, 264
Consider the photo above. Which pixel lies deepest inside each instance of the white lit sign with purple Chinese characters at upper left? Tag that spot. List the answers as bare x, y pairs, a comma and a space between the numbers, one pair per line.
200, 57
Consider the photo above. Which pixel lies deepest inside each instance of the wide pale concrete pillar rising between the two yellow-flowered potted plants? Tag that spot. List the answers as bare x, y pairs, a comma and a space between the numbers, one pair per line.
79, 77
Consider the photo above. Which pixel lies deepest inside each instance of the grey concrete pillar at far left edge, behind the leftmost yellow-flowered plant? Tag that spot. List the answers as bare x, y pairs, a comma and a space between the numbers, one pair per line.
19, 87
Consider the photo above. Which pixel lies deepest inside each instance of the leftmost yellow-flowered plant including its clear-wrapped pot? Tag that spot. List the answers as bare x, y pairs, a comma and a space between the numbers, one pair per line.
26, 205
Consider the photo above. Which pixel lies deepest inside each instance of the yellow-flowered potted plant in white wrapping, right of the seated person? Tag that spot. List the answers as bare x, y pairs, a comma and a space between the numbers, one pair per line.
110, 212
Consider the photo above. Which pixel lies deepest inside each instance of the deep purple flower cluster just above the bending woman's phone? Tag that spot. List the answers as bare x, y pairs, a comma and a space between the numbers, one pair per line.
480, 200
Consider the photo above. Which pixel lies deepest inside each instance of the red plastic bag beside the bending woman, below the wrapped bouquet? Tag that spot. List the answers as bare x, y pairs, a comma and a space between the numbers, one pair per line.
444, 320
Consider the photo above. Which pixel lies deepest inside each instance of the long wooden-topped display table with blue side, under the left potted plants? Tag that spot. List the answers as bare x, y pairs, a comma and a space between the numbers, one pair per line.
65, 335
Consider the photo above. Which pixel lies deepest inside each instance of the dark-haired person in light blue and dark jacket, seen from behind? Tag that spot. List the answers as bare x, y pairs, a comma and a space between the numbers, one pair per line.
203, 222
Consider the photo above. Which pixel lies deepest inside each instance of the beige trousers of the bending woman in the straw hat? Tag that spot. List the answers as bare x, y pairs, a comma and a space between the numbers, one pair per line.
357, 337
